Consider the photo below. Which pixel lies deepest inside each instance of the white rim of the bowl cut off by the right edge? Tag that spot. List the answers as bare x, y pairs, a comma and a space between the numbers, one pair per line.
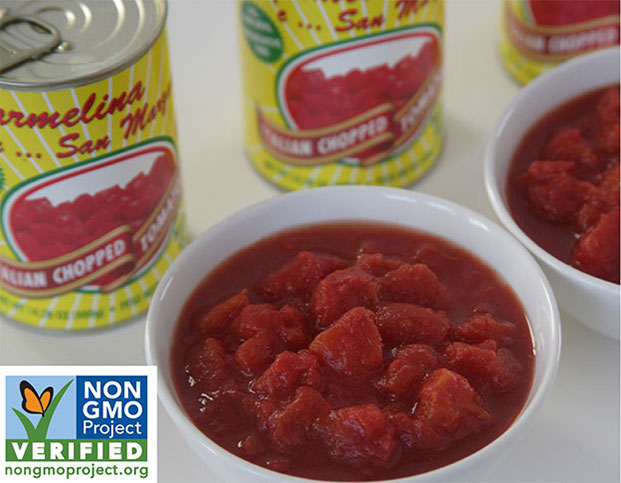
494, 191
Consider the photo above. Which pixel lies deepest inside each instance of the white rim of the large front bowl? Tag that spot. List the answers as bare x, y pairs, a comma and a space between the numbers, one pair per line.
191, 433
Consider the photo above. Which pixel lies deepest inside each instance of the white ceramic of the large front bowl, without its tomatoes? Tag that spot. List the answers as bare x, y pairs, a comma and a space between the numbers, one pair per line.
387, 205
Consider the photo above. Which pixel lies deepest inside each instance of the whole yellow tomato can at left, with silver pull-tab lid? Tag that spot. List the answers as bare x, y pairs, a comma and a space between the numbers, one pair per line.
90, 197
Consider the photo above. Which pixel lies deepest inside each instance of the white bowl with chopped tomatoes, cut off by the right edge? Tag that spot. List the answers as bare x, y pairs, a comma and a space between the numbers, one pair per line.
552, 176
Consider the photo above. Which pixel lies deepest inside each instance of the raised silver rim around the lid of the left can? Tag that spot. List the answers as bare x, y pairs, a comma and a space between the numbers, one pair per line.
122, 64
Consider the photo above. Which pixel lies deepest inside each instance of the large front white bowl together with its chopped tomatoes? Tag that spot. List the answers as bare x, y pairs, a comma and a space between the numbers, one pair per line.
353, 334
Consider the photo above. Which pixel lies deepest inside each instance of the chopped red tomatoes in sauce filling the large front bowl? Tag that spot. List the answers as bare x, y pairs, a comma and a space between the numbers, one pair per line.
352, 351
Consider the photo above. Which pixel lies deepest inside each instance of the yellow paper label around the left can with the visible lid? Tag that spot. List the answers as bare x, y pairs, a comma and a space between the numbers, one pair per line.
90, 197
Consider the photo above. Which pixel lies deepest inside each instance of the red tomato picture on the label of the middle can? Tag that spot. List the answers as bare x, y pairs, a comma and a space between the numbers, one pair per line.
329, 90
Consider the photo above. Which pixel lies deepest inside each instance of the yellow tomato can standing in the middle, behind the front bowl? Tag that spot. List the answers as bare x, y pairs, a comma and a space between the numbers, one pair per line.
342, 92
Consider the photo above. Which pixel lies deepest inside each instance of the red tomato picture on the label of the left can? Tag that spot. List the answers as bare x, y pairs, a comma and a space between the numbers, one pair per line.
97, 222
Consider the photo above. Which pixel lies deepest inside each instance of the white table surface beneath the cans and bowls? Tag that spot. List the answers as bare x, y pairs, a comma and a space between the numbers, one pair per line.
574, 437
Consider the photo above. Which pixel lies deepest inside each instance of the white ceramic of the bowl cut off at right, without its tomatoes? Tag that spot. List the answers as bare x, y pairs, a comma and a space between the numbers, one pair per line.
592, 301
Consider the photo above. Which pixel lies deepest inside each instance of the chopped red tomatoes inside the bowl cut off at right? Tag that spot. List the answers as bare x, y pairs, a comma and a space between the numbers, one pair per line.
563, 183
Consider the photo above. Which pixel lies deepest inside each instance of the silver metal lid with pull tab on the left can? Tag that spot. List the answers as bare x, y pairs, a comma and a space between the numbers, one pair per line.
97, 39
